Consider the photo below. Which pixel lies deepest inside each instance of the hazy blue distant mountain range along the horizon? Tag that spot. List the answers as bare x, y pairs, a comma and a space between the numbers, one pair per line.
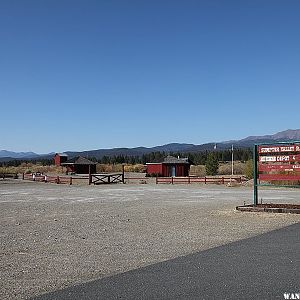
283, 136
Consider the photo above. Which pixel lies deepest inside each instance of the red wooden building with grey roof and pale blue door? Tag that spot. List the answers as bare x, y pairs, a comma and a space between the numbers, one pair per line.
170, 167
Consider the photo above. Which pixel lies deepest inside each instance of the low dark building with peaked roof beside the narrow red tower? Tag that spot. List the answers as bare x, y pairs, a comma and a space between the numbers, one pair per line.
80, 165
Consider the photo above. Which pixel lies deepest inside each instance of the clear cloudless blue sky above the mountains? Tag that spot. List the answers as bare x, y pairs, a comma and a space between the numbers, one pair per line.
84, 74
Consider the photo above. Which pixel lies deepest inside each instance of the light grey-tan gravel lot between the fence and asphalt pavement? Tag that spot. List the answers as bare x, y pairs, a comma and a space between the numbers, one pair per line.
53, 236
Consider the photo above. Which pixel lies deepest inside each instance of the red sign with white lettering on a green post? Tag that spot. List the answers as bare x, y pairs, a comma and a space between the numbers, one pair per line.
277, 165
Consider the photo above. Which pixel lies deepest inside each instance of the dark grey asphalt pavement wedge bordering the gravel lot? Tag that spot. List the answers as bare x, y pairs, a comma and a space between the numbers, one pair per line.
262, 267
